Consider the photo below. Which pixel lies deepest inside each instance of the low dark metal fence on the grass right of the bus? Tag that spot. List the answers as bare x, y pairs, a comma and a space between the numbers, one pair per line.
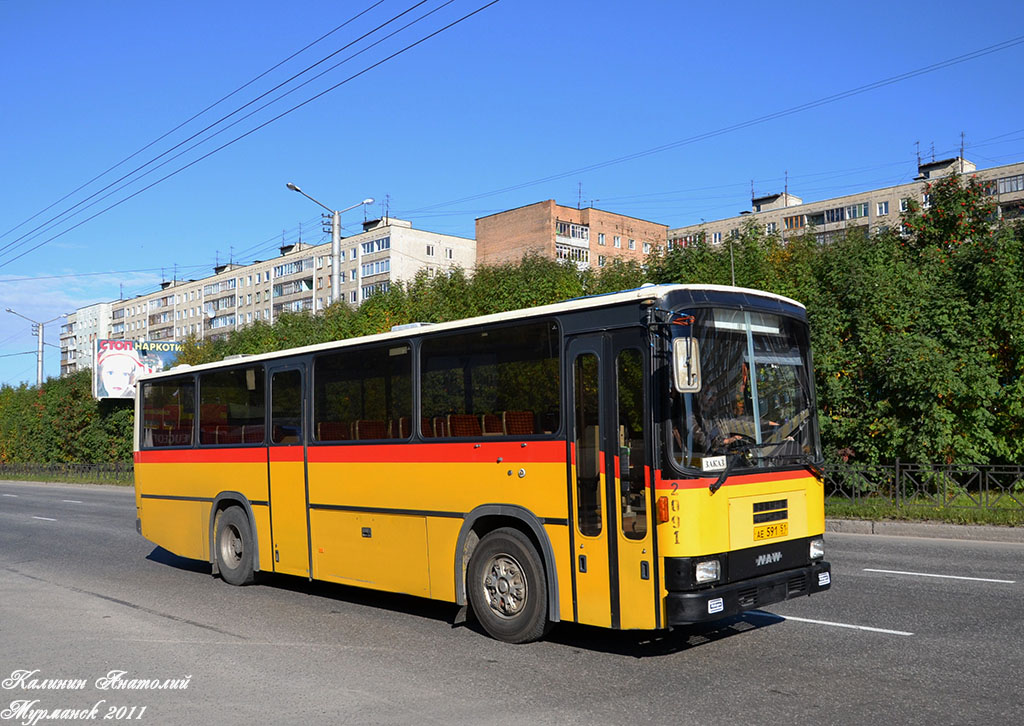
904, 485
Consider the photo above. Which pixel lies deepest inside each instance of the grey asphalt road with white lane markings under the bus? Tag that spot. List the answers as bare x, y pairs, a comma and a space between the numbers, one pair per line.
82, 595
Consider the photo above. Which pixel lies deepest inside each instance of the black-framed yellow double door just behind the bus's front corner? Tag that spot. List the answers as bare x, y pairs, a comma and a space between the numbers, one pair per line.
613, 558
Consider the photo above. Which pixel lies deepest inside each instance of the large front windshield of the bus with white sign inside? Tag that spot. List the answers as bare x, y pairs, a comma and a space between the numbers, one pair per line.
755, 406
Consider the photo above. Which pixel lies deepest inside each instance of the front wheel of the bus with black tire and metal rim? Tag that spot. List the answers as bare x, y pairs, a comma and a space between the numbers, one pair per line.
507, 587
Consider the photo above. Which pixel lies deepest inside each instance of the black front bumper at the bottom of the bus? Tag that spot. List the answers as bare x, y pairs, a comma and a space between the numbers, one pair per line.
734, 599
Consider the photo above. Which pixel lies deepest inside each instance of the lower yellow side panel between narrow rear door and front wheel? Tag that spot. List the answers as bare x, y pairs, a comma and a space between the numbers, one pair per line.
379, 551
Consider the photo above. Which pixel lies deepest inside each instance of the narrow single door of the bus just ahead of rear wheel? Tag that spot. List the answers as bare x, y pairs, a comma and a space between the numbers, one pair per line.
289, 520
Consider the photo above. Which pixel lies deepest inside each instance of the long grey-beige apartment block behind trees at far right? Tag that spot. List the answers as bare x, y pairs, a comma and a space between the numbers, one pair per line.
875, 211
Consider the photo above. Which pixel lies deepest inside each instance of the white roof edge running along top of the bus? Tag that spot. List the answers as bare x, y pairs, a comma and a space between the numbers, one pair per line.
583, 304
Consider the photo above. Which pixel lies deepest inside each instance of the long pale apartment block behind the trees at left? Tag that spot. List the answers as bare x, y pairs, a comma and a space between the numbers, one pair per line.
235, 296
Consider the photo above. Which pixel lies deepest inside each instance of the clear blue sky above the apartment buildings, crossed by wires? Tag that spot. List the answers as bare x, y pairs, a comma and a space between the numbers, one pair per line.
523, 92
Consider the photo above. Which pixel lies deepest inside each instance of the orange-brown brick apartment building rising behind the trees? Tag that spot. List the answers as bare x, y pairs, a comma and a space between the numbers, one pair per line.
587, 238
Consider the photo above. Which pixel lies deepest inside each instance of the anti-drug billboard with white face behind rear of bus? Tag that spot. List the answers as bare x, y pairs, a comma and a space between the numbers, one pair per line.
120, 363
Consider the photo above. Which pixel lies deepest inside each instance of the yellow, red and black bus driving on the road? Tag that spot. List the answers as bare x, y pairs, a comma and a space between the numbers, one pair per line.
639, 460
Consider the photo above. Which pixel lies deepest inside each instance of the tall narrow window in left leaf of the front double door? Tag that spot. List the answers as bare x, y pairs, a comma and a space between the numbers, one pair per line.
588, 438
